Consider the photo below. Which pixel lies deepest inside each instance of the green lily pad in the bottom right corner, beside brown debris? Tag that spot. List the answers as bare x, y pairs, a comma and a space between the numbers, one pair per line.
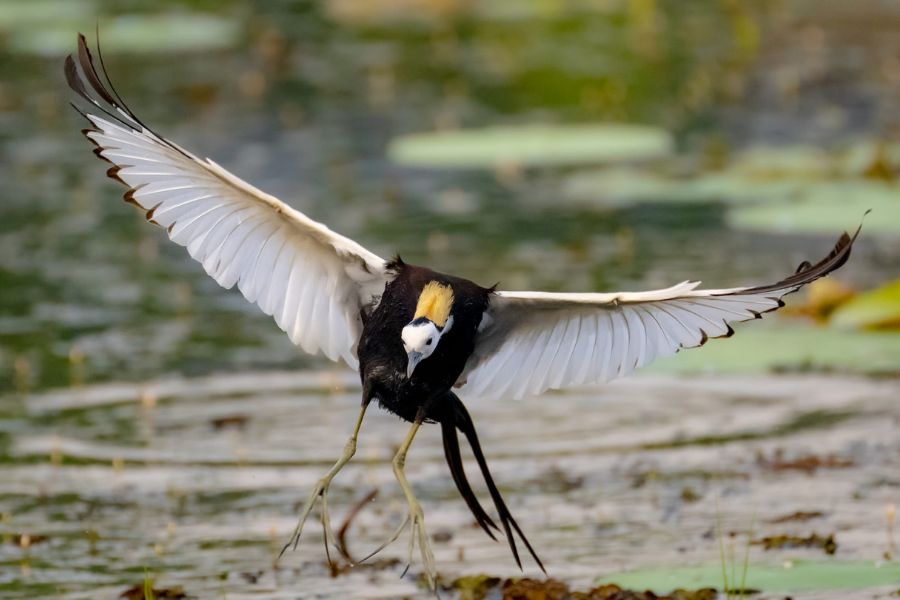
790, 577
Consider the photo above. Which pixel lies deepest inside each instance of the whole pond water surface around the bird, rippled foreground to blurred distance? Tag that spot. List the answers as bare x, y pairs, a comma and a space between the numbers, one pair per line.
117, 441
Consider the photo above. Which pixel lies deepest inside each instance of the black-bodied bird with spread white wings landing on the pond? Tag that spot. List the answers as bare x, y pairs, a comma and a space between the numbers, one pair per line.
419, 338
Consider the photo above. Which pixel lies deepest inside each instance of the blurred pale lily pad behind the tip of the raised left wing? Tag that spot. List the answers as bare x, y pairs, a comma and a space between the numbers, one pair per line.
156, 34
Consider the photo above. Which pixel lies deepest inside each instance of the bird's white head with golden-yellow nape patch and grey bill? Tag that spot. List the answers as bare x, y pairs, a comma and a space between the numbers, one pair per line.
431, 321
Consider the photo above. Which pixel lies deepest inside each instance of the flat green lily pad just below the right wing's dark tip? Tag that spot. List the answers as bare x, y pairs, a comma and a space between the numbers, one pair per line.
756, 348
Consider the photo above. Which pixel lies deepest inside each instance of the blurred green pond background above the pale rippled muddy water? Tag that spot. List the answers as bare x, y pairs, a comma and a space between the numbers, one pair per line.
757, 131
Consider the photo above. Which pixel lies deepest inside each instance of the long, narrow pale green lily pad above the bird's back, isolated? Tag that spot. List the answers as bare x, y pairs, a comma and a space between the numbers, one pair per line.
531, 146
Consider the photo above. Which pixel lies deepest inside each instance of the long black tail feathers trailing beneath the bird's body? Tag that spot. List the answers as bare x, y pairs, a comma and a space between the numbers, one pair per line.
461, 419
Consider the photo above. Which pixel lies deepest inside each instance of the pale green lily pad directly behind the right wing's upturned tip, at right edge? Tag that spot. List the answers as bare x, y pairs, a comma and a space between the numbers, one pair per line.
826, 208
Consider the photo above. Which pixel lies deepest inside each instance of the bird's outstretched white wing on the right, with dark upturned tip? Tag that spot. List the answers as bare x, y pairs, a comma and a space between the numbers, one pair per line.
534, 341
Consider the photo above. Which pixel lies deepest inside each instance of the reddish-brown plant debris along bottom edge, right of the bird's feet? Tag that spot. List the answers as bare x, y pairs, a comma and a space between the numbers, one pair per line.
479, 587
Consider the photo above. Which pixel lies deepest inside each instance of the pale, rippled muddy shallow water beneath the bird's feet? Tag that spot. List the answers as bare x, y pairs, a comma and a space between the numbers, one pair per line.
196, 481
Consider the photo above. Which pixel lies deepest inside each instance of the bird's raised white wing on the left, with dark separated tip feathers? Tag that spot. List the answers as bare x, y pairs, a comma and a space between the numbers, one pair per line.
314, 282
